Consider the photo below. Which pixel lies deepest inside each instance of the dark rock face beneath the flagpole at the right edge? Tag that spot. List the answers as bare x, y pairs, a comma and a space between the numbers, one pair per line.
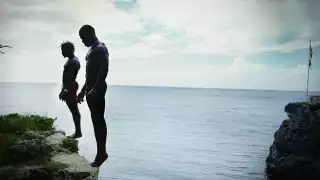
295, 152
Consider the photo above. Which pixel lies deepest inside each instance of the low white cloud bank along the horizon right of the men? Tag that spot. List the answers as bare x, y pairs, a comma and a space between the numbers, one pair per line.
241, 73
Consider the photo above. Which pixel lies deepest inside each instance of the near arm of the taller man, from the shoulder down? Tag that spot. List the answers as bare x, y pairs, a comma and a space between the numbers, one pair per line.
103, 59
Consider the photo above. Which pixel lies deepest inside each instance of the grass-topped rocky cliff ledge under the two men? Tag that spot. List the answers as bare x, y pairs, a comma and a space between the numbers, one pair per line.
31, 148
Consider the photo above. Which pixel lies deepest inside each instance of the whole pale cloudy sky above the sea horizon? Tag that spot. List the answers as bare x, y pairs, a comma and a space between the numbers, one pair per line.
242, 44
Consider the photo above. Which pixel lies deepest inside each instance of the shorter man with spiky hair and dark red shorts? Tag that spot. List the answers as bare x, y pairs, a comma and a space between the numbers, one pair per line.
70, 86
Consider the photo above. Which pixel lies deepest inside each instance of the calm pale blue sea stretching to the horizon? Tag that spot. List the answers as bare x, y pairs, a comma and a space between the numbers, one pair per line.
169, 133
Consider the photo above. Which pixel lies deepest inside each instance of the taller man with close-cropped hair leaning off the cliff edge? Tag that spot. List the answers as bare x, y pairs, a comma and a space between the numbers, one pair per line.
95, 88
